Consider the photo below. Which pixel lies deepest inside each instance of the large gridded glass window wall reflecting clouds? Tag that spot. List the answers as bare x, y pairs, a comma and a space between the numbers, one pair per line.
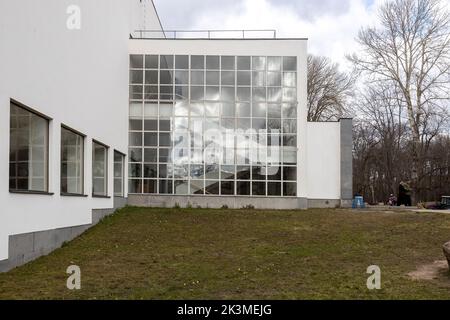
213, 125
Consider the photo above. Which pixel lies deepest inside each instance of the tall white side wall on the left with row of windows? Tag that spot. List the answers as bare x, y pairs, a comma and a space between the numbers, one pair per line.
78, 78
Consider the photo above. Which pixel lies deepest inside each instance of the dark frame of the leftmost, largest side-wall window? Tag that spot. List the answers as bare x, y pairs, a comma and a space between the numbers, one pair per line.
47, 151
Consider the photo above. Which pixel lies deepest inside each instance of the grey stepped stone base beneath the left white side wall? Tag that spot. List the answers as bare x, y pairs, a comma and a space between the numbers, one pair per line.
27, 247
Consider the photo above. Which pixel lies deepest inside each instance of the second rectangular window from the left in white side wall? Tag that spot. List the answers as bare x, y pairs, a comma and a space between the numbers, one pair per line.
72, 156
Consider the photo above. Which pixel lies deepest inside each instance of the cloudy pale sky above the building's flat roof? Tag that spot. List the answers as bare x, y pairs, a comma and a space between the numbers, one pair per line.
330, 25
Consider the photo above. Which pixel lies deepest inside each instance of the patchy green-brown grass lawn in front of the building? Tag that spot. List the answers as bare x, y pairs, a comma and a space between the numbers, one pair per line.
143, 253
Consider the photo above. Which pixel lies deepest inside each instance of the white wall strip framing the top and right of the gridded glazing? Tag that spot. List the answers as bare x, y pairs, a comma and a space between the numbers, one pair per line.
279, 47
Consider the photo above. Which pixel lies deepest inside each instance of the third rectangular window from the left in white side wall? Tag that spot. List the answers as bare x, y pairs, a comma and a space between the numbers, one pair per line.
99, 169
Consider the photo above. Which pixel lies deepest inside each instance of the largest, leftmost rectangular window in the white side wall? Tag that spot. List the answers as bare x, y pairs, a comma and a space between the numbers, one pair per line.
28, 155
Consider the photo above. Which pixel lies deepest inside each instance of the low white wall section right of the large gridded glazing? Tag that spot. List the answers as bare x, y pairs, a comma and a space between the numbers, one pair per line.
324, 161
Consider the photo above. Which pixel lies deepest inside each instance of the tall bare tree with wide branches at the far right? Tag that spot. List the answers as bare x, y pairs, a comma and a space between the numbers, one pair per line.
410, 51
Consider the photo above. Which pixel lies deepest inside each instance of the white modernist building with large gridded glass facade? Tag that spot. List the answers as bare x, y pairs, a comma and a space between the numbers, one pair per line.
96, 115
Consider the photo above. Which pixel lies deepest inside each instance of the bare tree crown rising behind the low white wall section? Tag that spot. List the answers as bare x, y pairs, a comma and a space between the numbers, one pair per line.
328, 89
